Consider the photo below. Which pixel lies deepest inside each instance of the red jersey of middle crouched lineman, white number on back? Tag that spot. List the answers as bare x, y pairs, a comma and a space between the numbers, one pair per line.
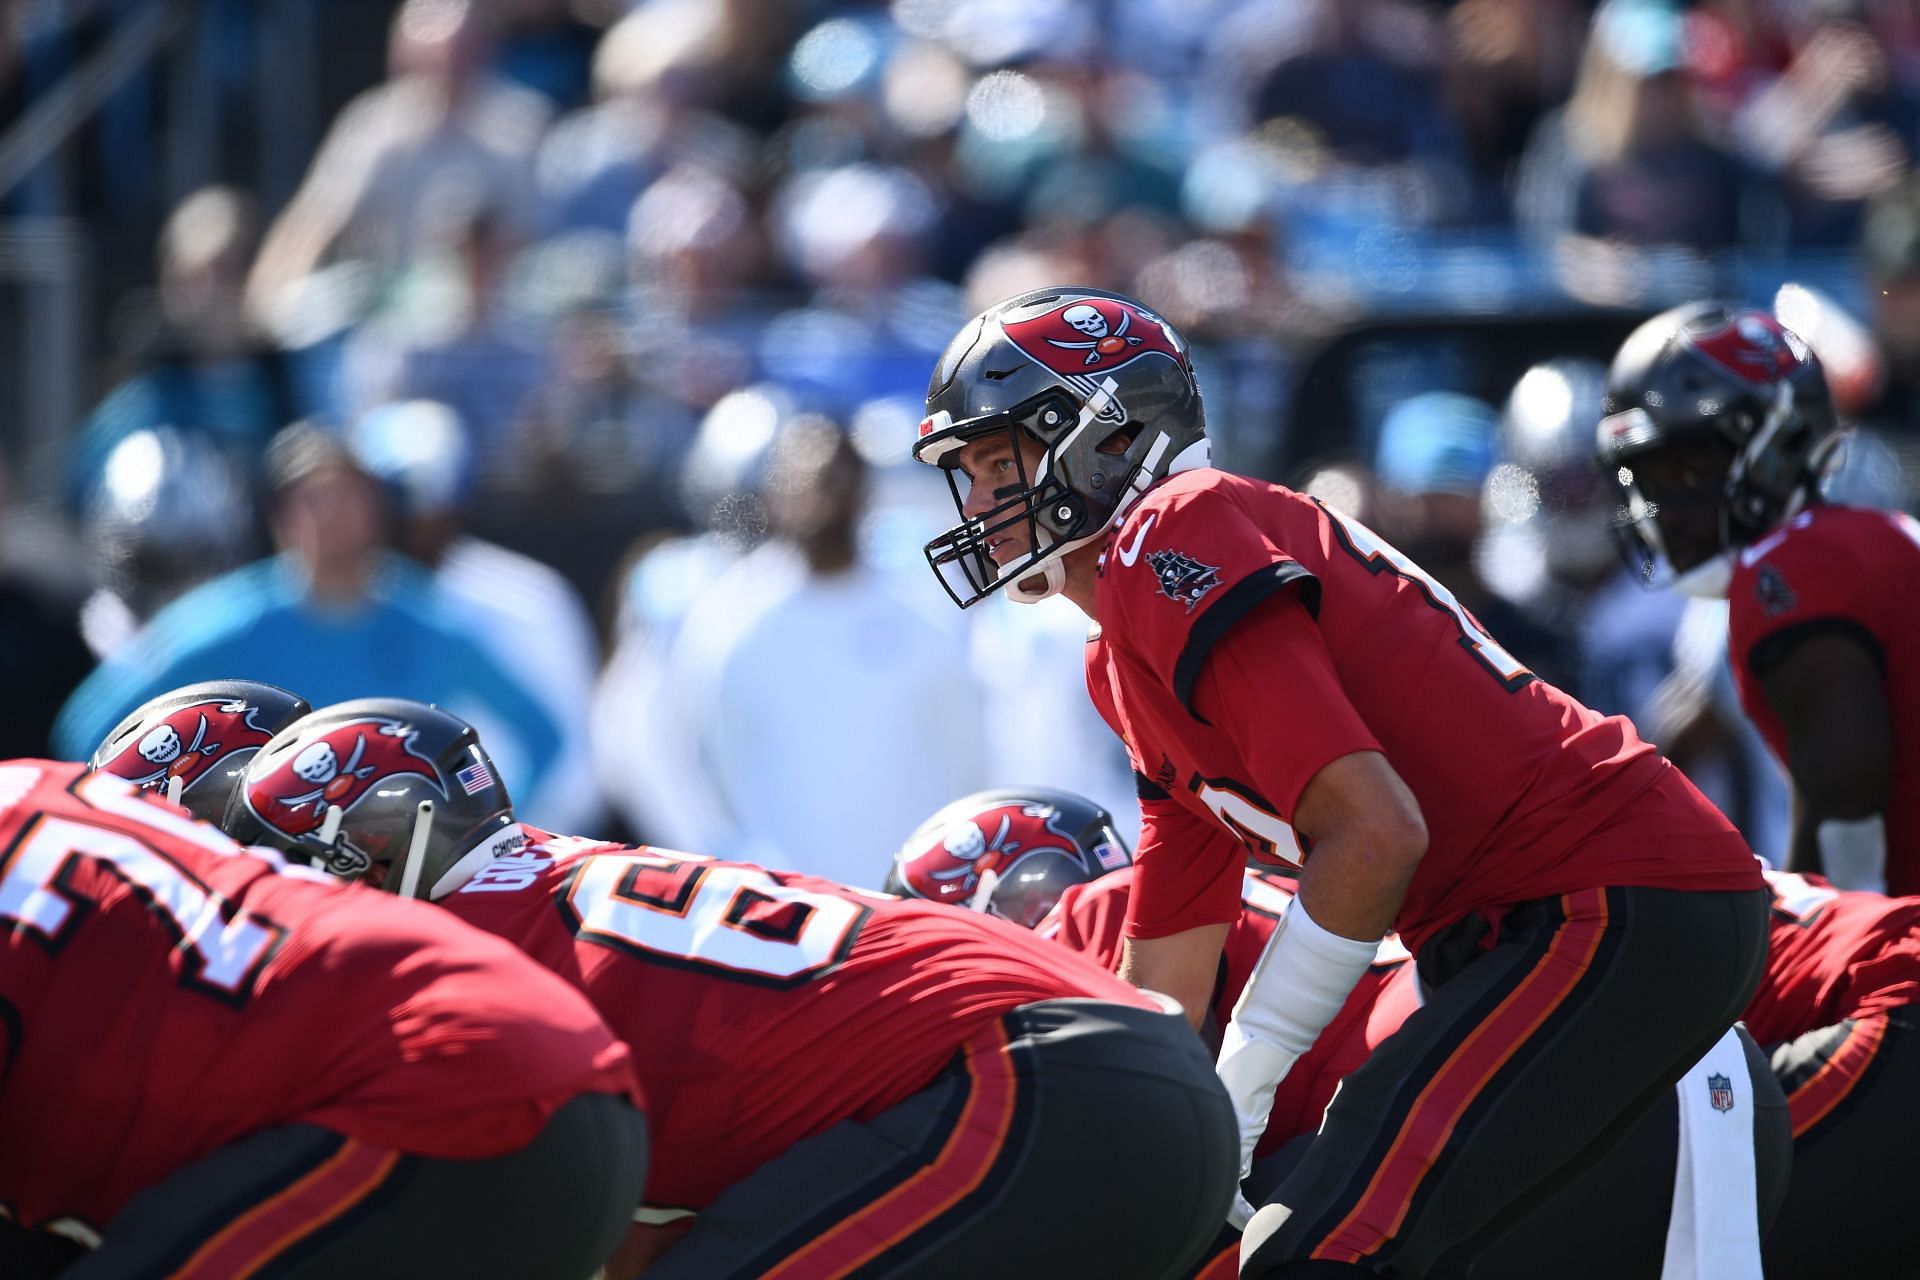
763, 1007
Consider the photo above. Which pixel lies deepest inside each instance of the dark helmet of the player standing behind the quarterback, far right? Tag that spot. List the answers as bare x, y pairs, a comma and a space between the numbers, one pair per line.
1714, 431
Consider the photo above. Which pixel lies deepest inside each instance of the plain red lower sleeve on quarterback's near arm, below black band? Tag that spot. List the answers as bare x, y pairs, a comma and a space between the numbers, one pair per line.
1270, 686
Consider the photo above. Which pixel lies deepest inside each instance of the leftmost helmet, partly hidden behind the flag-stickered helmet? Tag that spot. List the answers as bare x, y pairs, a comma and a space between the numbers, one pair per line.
193, 744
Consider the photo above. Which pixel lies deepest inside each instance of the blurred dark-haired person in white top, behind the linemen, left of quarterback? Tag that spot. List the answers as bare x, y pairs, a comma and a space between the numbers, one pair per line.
805, 676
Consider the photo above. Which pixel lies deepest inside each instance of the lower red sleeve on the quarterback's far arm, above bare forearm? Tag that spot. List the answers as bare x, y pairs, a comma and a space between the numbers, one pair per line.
1188, 872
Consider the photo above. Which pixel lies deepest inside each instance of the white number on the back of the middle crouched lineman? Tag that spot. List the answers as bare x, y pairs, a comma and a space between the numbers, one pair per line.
731, 920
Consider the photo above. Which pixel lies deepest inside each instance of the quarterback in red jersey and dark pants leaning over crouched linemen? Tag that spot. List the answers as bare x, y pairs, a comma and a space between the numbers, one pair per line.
1289, 684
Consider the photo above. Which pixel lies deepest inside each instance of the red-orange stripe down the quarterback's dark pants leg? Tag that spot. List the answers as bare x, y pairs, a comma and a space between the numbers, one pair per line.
1460, 1079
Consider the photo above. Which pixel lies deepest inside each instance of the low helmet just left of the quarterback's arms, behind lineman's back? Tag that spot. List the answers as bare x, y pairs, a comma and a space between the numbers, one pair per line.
1009, 853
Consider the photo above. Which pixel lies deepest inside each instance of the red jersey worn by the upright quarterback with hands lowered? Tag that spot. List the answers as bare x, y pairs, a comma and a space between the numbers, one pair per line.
1525, 792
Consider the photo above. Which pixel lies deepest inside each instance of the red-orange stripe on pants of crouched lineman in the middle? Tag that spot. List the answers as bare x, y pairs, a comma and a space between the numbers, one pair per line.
963, 1164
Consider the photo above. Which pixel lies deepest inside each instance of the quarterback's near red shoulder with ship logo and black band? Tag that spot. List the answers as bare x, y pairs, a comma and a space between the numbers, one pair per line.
1186, 571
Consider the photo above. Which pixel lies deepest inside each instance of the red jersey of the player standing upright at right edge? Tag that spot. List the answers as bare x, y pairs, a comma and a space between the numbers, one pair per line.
1838, 569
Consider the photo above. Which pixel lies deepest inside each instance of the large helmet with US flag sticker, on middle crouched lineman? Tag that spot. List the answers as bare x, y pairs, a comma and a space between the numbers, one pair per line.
348, 786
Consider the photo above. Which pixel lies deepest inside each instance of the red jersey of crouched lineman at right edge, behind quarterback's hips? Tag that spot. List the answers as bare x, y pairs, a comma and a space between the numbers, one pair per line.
1833, 957
